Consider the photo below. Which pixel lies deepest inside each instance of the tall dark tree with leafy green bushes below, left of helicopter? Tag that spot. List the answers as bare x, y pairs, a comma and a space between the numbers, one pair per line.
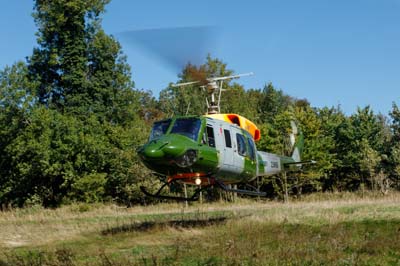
70, 117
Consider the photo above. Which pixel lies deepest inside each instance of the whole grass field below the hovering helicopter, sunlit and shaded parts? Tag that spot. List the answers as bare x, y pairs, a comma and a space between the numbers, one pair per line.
333, 229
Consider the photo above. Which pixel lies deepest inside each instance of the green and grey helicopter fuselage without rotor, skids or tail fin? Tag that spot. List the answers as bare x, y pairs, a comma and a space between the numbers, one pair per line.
200, 147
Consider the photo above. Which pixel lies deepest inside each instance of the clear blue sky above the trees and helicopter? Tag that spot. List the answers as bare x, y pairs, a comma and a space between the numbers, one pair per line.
342, 52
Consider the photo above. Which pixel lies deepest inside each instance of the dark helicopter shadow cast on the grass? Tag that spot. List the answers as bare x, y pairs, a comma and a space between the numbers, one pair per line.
150, 225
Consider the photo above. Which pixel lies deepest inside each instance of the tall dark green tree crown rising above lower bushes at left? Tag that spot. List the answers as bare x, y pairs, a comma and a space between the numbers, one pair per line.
78, 68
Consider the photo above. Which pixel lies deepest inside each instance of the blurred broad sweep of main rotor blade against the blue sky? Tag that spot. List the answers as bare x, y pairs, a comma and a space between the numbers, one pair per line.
175, 47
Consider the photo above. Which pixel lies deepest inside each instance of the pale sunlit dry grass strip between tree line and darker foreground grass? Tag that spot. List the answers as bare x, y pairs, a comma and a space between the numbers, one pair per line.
37, 226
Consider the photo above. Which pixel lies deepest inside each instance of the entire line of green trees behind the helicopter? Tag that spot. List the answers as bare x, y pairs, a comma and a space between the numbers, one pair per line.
71, 121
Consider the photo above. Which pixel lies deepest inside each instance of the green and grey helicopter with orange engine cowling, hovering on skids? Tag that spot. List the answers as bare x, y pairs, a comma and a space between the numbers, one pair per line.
213, 150
